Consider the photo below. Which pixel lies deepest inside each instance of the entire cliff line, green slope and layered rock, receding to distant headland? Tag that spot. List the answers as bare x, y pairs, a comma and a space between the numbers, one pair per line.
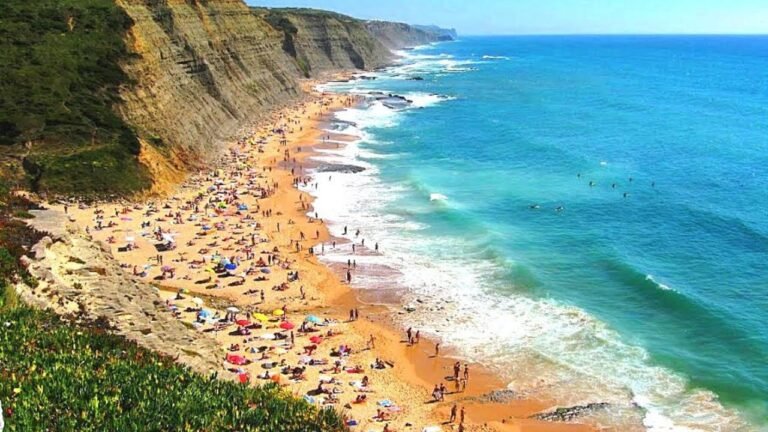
181, 75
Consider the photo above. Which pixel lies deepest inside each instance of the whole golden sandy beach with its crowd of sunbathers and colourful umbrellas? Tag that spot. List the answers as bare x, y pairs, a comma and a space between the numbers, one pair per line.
232, 251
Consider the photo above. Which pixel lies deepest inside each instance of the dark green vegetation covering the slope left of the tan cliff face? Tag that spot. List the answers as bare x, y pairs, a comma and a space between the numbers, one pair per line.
59, 63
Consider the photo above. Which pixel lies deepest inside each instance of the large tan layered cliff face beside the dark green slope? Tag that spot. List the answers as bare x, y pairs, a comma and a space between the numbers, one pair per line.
199, 69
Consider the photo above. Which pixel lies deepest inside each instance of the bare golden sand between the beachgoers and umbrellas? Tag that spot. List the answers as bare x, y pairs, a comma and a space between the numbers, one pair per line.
416, 370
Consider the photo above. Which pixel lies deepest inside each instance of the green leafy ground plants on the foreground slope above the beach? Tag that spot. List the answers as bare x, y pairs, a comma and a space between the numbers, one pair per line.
58, 376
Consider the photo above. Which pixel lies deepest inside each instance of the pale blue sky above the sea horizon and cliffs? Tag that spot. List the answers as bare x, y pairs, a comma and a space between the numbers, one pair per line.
558, 16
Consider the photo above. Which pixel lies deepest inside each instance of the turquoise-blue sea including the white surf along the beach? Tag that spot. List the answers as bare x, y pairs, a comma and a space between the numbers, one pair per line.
587, 215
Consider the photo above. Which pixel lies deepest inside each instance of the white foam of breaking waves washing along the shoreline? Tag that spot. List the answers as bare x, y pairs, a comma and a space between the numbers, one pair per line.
545, 348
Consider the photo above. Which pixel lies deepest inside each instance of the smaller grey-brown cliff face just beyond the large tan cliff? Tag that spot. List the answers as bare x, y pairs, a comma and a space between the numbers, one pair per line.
321, 41
